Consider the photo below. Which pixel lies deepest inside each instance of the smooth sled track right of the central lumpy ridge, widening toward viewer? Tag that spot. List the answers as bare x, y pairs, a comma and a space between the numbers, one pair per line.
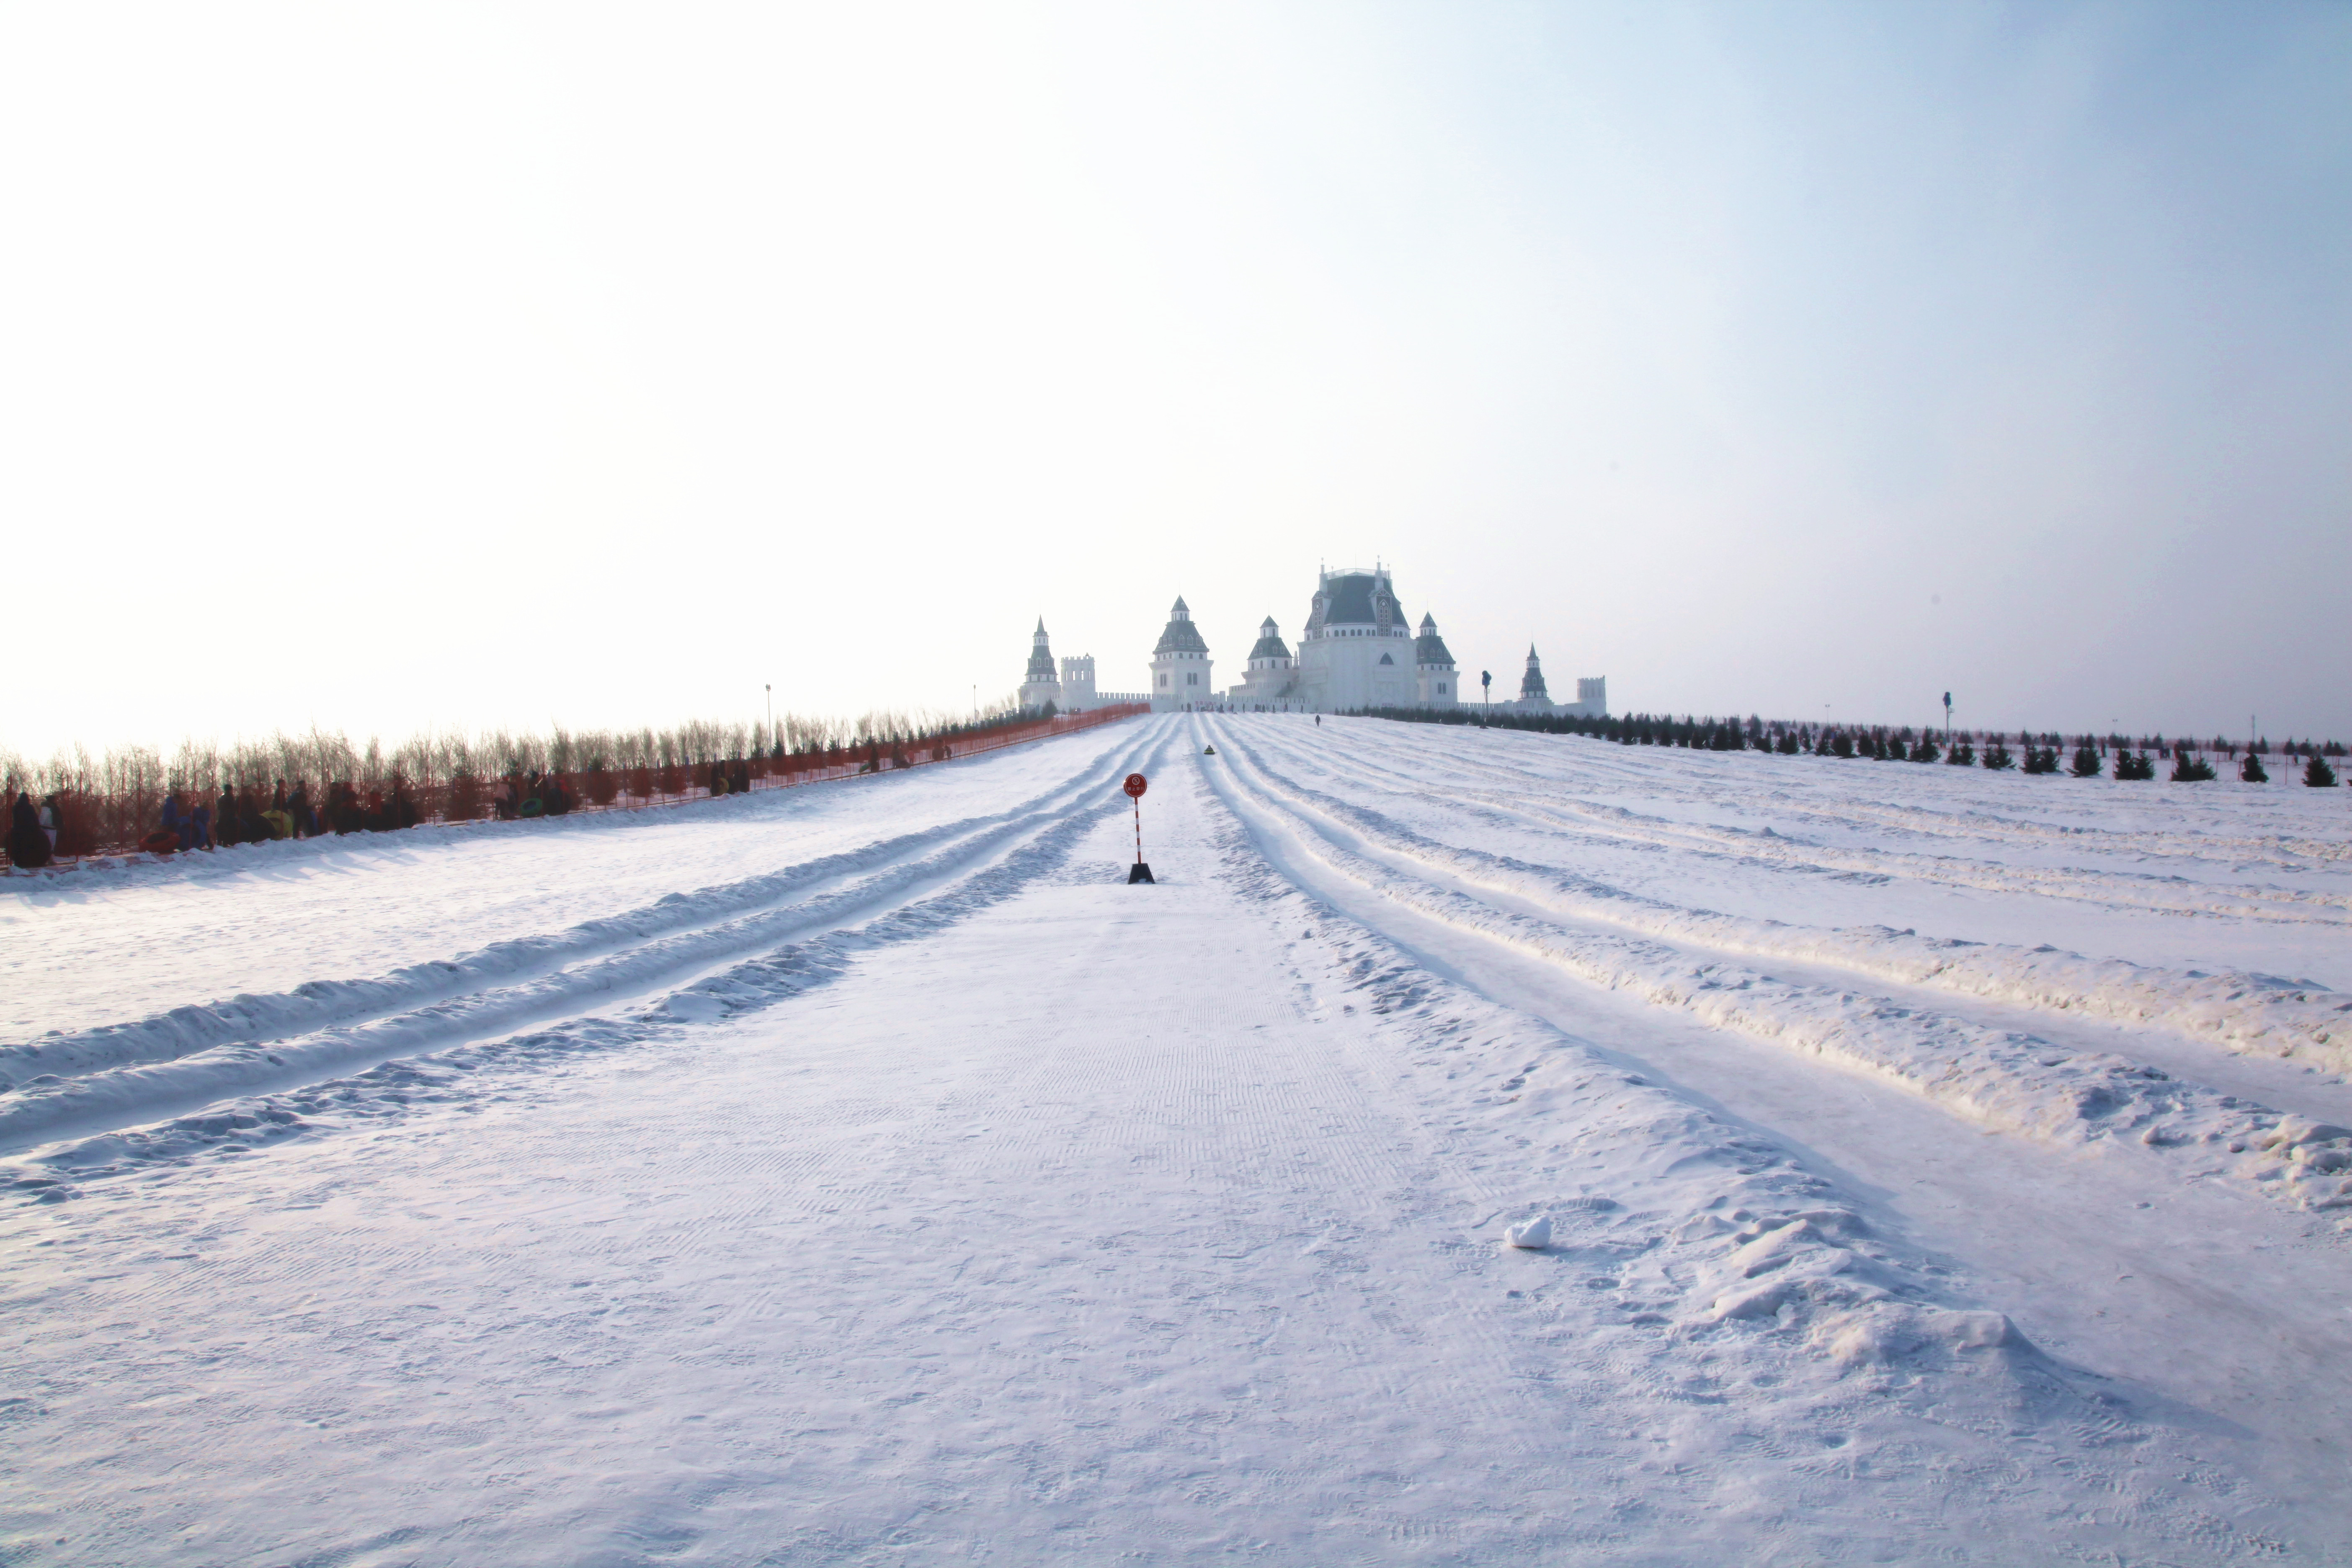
2141, 1264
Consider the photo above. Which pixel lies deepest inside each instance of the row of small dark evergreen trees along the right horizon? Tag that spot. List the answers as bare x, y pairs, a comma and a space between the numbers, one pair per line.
2036, 753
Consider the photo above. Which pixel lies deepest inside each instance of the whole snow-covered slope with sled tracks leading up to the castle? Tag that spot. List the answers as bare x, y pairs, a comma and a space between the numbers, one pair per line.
1930, 1167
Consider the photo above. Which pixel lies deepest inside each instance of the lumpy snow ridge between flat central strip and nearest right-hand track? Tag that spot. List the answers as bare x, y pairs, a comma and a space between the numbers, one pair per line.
1570, 1123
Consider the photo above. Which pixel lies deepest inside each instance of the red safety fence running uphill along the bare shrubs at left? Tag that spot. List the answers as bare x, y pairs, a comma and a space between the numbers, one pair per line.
100, 826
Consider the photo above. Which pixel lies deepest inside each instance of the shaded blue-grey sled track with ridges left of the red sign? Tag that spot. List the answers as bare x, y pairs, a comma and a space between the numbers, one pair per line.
516, 986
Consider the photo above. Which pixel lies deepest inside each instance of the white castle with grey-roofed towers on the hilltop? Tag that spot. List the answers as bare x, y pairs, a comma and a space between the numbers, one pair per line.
1356, 652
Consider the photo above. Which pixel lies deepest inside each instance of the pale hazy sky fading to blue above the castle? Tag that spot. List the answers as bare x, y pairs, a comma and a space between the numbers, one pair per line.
467, 368
